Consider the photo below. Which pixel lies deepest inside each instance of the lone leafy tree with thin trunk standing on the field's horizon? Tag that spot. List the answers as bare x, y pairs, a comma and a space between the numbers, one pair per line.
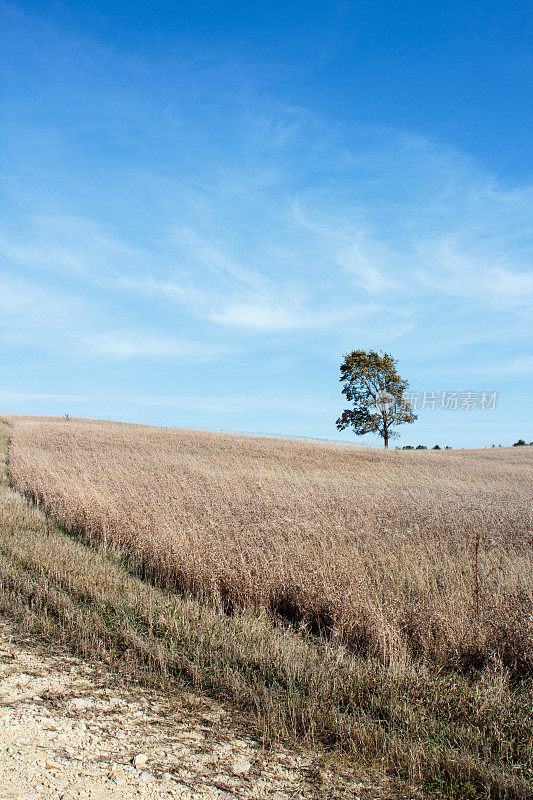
373, 386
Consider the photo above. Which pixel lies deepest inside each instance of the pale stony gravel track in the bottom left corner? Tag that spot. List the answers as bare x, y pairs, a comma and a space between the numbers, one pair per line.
71, 729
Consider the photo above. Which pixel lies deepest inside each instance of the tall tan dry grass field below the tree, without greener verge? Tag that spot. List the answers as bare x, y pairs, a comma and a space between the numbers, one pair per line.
424, 552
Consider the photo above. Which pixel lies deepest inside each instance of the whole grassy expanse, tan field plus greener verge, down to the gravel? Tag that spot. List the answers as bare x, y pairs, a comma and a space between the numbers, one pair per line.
414, 568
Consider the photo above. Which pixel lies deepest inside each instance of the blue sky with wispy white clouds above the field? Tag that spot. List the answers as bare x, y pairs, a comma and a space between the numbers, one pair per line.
204, 206
